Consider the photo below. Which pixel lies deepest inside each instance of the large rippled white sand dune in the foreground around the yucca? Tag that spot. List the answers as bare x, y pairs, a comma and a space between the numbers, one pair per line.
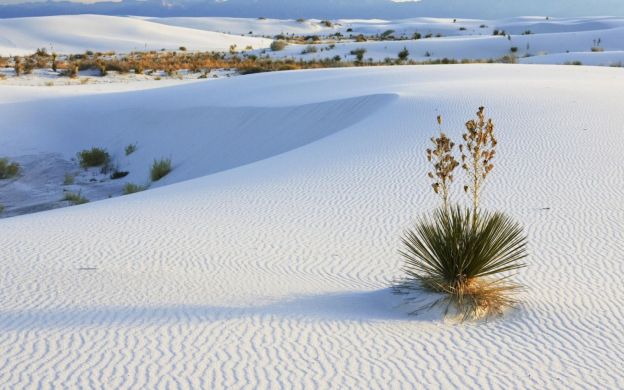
275, 273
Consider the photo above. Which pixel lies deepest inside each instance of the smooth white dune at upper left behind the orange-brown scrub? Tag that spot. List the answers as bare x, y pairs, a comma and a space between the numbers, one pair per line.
78, 33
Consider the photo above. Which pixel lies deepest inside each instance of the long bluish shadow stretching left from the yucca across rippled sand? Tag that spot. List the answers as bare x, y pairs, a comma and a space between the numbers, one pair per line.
371, 306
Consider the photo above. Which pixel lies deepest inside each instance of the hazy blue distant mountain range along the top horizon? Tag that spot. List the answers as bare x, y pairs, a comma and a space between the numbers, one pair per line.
324, 9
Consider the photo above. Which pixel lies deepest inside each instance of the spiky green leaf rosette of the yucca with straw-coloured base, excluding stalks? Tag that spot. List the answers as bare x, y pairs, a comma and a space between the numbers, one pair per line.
450, 254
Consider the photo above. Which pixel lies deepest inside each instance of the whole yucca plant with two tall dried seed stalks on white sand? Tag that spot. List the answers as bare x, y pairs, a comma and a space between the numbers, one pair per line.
465, 254
